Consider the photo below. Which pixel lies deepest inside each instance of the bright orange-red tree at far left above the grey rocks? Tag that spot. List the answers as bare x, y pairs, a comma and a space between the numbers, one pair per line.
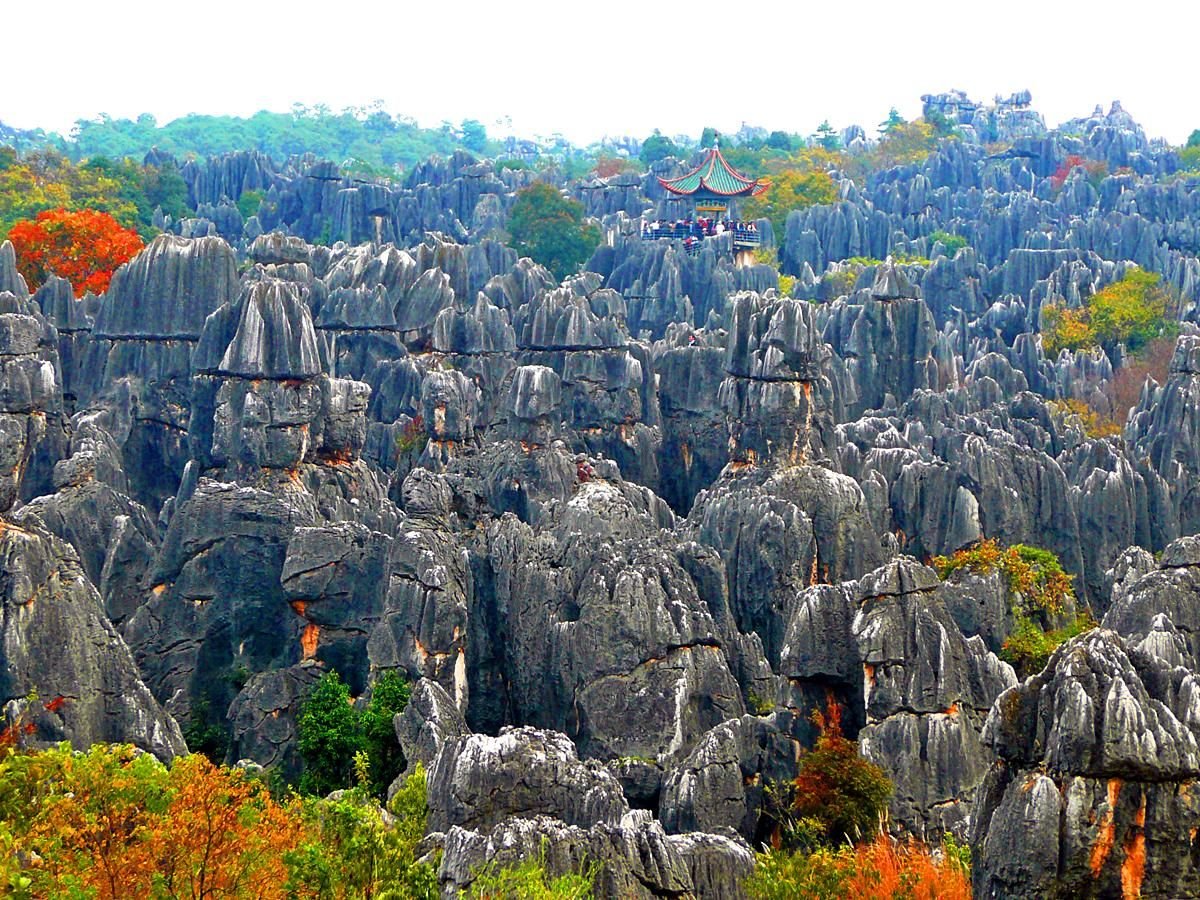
86, 248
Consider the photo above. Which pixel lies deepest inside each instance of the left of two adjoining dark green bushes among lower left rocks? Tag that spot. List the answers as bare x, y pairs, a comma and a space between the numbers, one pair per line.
328, 736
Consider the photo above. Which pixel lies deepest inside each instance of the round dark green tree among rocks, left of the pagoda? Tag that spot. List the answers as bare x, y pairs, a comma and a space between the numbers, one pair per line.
550, 229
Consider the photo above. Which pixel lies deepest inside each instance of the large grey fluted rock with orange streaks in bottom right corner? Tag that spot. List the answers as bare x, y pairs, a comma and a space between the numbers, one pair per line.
1093, 793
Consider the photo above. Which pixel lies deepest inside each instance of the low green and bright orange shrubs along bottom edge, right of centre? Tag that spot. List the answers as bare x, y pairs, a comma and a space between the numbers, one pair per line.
880, 871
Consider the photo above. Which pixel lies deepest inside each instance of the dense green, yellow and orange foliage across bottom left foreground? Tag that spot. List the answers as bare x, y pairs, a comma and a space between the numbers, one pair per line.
115, 823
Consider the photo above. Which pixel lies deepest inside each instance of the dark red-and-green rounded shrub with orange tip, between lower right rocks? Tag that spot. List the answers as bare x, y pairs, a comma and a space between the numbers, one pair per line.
837, 788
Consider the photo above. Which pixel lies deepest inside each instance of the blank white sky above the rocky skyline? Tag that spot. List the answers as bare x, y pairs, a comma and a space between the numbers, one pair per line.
603, 67
